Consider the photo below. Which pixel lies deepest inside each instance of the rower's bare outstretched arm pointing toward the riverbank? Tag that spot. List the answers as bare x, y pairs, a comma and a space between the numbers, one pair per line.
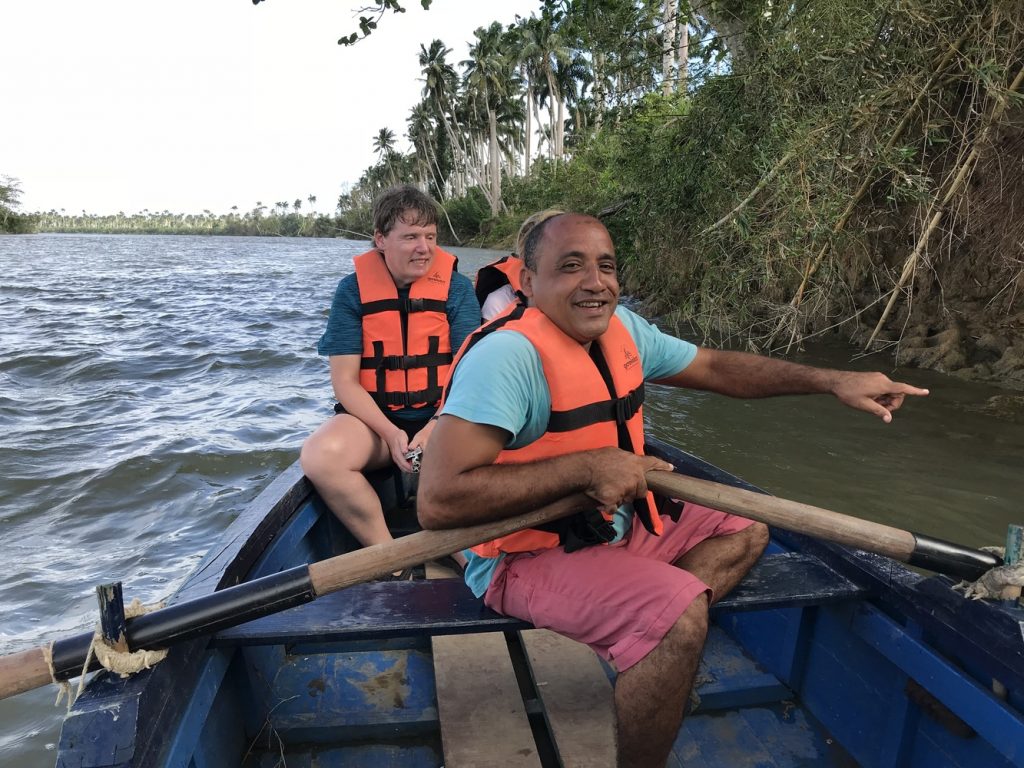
744, 375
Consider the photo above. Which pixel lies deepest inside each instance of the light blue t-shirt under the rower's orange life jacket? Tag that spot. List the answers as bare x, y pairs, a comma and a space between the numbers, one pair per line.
501, 382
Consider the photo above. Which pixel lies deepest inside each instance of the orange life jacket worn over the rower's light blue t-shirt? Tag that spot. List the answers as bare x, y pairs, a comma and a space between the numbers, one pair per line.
587, 412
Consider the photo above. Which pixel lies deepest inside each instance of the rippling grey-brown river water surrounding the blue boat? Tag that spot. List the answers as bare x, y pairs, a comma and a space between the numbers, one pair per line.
151, 387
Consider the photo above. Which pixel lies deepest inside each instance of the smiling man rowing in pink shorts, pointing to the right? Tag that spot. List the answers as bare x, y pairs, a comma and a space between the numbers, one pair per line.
545, 403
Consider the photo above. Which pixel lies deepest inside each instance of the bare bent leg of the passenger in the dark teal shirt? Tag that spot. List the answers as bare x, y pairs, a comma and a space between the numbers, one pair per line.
334, 459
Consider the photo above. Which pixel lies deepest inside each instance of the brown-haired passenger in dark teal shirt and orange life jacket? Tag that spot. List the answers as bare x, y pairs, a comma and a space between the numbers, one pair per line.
394, 325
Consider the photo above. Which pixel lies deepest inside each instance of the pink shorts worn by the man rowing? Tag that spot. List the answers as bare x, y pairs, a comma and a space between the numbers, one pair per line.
622, 600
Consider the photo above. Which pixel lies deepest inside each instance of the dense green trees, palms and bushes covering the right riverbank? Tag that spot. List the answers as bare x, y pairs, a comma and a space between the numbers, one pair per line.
770, 170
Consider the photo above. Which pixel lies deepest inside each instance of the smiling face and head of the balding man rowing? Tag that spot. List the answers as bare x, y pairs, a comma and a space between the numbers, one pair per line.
576, 284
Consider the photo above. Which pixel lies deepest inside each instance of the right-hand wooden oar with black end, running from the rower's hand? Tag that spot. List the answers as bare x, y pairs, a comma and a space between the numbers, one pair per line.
906, 546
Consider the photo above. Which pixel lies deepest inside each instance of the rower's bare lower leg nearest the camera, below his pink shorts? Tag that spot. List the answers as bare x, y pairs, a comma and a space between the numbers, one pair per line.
652, 696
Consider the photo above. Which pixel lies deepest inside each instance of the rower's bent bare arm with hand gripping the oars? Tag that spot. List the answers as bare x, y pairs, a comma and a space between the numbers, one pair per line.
461, 486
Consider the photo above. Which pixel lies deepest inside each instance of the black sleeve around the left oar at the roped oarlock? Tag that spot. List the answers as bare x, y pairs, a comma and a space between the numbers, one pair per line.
193, 619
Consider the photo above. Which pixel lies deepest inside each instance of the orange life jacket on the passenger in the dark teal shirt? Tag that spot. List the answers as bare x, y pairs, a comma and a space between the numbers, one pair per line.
407, 345
